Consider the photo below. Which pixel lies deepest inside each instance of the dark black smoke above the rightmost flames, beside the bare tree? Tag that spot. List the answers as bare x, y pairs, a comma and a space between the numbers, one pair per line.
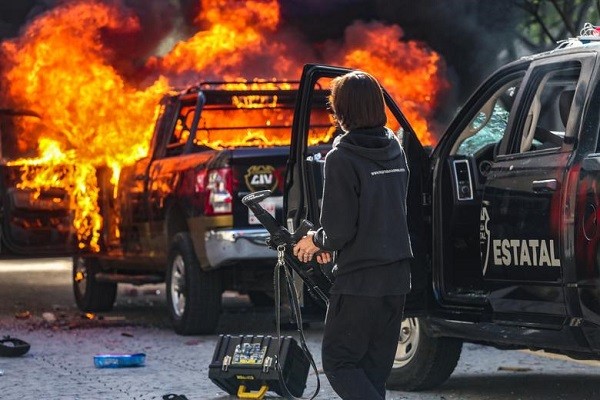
473, 36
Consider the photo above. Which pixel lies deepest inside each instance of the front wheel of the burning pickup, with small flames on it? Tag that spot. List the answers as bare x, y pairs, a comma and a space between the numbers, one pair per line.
91, 295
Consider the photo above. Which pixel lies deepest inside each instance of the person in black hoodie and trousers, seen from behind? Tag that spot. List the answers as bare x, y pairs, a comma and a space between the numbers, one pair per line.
363, 222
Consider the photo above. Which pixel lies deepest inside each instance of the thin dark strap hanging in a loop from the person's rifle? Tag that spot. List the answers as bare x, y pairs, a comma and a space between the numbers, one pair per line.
295, 306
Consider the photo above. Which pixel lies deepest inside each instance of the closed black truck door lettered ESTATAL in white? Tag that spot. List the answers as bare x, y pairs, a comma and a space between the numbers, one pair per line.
524, 228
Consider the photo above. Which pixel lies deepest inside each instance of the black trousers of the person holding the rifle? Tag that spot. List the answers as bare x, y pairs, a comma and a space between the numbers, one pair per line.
359, 344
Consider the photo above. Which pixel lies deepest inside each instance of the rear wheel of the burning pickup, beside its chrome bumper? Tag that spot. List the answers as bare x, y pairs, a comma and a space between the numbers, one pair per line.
193, 295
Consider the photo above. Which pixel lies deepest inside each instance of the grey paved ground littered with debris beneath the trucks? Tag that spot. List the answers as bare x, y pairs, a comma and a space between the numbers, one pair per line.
60, 362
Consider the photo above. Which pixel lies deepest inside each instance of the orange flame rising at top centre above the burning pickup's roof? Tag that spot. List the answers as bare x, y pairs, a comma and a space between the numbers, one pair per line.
239, 33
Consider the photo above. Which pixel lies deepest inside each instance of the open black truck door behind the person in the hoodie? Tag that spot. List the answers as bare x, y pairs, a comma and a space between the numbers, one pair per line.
304, 177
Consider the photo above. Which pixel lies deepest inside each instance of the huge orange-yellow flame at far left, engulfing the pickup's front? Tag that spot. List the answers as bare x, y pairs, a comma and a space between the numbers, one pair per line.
59, 69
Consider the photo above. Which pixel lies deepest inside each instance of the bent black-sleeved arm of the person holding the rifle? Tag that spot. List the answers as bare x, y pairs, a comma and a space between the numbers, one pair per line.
339, 210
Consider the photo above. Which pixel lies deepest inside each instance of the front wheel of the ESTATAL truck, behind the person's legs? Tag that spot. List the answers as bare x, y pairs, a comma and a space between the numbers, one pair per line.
422, 362
